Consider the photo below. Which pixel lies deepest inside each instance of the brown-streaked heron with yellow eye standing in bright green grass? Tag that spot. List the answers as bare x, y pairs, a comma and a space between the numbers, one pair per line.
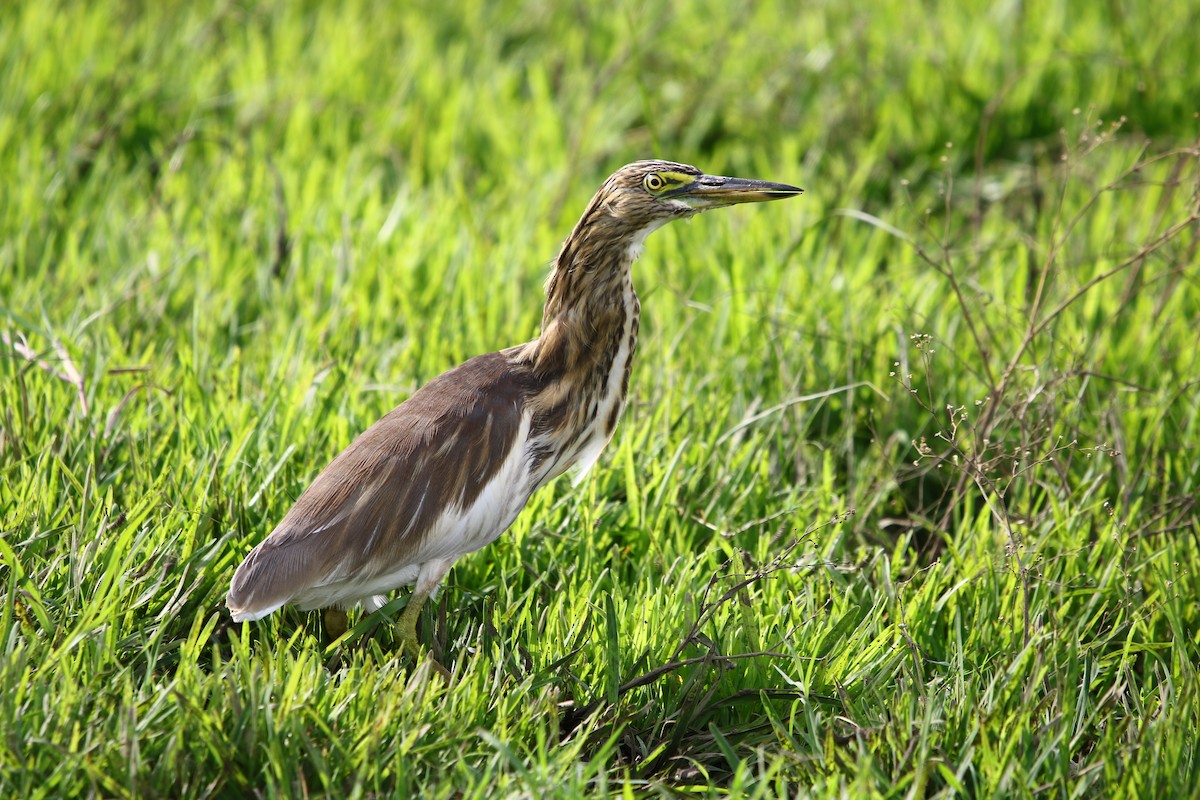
449, 470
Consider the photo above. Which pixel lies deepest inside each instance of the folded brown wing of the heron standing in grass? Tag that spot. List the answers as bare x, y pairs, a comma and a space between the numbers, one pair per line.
369, 512
